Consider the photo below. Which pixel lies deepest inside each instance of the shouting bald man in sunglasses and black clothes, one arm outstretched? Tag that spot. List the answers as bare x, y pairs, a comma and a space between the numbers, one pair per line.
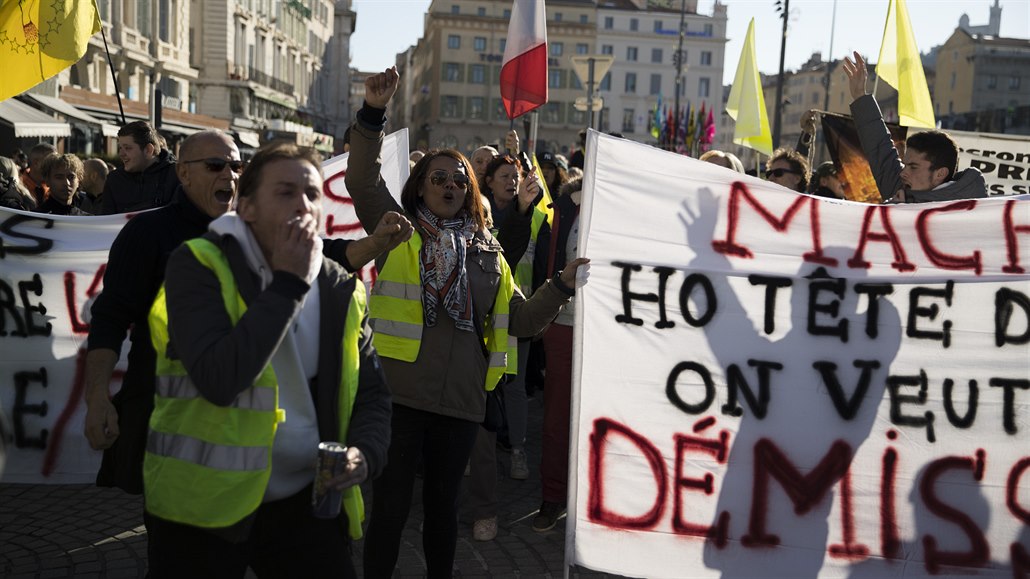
210, 174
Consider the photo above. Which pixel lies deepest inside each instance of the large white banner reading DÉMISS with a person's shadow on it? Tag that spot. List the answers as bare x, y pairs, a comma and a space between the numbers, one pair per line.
770, 385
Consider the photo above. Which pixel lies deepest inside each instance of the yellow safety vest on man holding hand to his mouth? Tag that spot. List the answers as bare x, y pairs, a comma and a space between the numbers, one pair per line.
207, 465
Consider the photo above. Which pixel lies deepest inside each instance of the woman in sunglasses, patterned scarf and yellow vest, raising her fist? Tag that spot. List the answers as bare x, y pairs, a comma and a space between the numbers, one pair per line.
442, 309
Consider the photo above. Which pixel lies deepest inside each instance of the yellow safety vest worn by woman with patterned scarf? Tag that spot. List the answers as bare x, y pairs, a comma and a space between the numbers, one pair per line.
396, 310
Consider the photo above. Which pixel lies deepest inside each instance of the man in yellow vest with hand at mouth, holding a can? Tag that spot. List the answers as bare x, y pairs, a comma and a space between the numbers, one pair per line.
264, 351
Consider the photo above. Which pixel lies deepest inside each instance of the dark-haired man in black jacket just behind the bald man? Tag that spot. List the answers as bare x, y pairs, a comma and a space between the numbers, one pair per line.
149, 178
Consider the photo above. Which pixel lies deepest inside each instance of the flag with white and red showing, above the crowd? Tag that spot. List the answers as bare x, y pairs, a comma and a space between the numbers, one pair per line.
524, 76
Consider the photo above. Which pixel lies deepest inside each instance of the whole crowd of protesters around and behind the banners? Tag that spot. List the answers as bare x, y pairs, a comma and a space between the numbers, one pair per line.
252, 342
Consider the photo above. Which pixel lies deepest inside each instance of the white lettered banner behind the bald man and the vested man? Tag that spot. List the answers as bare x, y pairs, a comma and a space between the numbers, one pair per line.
51, 269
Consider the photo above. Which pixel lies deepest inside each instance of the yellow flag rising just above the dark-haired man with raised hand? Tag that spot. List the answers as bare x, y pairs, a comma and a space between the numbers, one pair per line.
901, 67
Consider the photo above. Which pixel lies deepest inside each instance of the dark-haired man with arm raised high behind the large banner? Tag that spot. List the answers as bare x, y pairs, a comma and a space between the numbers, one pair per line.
930, 172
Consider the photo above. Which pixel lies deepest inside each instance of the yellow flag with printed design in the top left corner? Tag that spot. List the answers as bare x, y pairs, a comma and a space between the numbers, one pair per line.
41, 39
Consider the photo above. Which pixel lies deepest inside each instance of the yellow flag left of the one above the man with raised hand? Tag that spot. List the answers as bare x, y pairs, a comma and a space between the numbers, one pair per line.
747, 105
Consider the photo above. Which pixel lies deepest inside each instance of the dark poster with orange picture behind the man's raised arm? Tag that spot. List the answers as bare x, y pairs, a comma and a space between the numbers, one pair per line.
846, 151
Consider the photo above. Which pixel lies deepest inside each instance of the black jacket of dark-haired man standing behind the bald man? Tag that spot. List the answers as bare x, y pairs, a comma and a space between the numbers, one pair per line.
125, 192
